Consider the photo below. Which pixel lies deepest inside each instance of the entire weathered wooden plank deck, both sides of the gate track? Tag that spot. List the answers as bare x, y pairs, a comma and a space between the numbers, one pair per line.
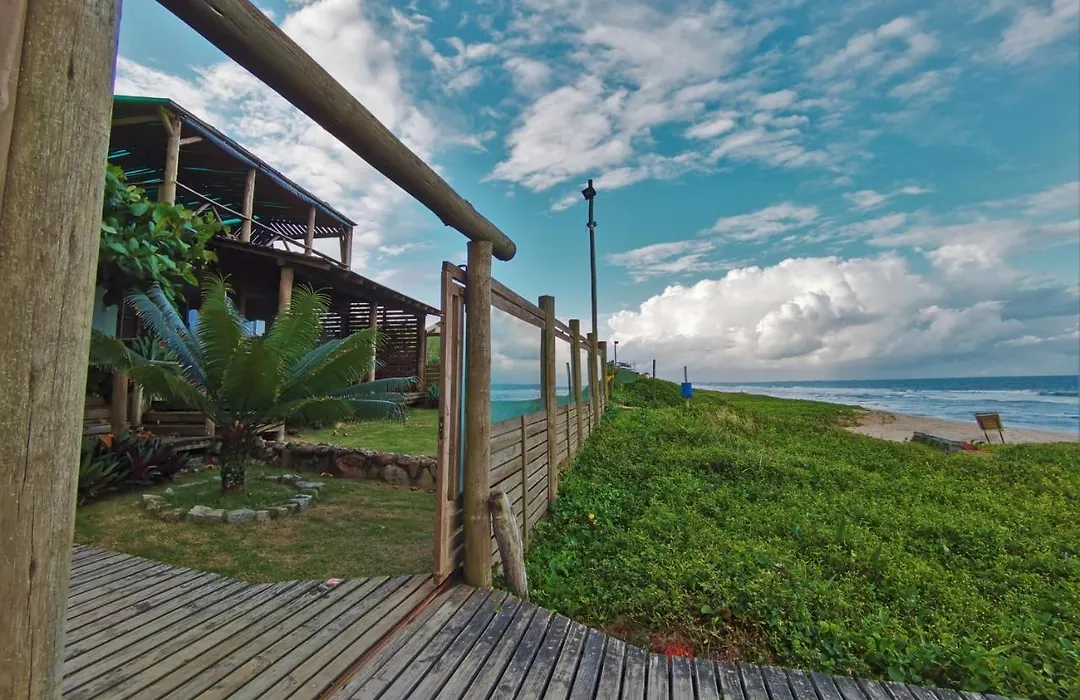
141, 629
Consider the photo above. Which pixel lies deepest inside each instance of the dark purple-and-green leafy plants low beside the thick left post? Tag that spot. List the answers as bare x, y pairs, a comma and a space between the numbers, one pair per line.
112, 465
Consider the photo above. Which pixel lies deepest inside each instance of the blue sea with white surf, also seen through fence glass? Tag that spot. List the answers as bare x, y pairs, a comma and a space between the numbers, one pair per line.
1042, 403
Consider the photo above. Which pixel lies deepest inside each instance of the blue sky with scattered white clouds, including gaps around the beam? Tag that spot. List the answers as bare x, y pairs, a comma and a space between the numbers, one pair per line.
787, 190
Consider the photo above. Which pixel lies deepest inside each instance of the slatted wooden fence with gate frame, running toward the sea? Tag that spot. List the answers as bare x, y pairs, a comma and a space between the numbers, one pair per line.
528, 453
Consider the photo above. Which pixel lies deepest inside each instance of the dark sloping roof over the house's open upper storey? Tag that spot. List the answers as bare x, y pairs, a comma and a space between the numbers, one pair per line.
215, 167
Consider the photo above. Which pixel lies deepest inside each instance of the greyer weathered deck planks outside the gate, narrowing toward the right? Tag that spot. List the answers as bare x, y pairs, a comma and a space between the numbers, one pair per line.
471, 643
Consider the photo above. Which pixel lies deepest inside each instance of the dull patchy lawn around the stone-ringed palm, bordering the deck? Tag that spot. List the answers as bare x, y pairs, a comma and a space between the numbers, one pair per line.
357, 529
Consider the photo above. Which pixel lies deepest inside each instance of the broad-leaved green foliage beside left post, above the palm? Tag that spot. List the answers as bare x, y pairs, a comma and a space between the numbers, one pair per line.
146, 244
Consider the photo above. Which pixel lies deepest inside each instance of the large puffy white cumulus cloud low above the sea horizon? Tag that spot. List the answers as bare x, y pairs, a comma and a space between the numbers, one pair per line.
819, 317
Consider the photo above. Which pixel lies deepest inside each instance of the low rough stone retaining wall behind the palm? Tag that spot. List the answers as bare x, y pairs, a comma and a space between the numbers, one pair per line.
344, 463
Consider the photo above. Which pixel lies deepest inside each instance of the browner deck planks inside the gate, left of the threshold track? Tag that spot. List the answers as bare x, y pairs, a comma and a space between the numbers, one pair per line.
141, 629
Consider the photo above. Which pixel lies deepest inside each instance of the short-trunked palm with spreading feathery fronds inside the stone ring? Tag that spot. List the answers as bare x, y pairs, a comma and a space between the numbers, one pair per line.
250, 385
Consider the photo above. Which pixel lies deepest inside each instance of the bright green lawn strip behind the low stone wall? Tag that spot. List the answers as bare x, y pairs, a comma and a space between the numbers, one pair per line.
417, 436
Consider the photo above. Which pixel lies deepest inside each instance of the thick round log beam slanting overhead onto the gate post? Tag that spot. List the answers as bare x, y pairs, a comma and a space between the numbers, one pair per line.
249, 37
